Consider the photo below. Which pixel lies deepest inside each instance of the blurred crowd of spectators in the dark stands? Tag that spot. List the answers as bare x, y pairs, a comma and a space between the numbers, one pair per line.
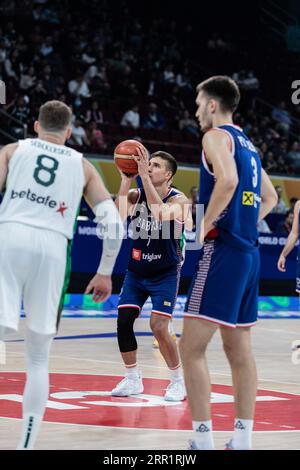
129, 73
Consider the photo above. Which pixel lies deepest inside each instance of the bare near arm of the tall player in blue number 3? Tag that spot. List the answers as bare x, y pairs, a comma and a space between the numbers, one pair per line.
216, 146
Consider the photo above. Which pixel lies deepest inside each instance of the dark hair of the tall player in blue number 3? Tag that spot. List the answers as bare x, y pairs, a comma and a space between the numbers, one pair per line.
223, 89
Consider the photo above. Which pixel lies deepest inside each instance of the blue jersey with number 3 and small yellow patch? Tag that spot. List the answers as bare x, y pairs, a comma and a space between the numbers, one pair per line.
237, 225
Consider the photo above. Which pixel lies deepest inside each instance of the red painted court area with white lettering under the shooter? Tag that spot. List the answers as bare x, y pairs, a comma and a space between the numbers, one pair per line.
85, 399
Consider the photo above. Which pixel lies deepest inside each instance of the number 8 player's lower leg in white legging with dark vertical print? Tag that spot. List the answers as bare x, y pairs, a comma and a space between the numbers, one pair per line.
36, 391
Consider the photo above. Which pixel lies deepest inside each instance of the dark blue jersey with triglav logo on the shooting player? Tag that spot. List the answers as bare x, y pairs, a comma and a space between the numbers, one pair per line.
156, 246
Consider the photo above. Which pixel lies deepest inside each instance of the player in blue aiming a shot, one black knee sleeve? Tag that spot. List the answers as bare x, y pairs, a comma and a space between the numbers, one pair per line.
154, 266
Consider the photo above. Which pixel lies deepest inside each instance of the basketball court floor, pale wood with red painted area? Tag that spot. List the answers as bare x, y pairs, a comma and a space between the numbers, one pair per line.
86, 358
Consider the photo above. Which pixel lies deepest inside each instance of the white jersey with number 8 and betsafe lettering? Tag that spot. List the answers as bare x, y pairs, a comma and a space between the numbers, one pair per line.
44, 186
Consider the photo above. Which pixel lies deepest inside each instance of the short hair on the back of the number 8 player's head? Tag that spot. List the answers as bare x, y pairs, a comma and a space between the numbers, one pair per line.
55, 116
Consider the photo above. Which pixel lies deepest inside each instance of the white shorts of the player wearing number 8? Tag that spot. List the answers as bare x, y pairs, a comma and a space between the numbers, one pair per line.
32, 270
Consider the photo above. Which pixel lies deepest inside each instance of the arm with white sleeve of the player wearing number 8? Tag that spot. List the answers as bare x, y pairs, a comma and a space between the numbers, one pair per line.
108, 216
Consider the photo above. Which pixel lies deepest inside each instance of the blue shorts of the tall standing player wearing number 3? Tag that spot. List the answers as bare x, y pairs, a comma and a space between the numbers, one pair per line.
225, 286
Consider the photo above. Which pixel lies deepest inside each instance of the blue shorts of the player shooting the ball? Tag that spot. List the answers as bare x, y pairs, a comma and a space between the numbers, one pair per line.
162, 289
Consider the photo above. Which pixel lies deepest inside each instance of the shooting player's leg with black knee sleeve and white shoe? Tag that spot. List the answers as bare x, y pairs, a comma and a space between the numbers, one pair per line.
131, 300
